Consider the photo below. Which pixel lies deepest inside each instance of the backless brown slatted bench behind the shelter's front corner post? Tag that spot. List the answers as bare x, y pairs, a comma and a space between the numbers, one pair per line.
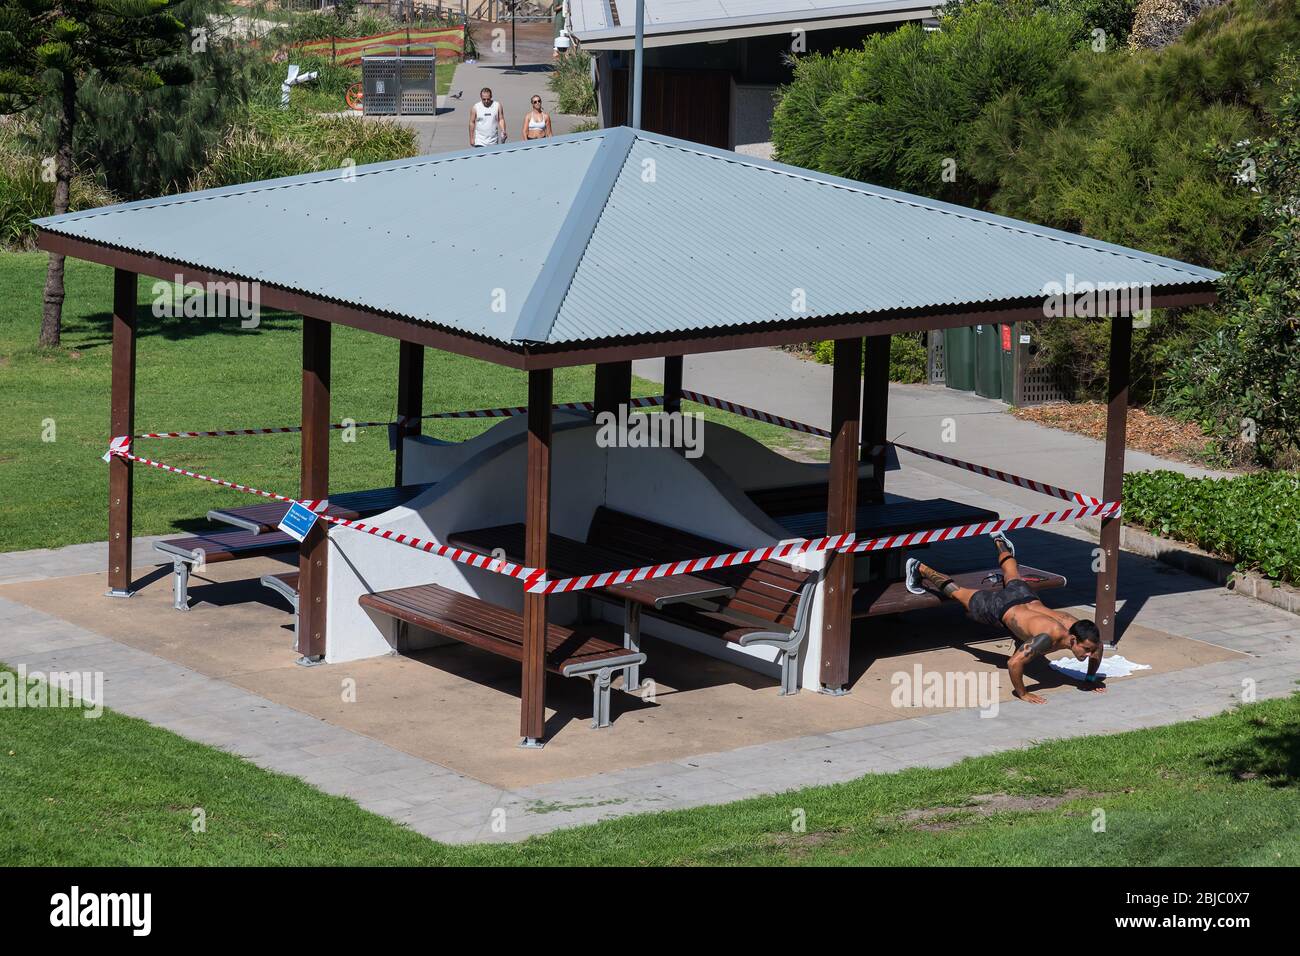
571, 652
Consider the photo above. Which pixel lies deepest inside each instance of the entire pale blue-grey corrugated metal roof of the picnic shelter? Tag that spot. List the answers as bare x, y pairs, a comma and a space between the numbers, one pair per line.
612, 235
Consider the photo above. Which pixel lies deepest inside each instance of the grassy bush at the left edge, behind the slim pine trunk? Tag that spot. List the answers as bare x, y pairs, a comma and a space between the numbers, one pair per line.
24, 192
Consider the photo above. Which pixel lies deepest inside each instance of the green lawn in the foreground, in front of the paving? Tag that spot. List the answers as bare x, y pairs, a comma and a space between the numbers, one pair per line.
1221, 791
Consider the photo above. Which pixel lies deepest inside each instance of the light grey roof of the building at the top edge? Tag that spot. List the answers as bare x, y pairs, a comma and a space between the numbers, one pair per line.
610, 24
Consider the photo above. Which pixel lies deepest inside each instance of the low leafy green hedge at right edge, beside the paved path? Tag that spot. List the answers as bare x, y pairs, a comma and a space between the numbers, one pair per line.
1250, 520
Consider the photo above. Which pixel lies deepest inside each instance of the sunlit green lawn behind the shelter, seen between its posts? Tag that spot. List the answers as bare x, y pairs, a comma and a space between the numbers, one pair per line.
196, 374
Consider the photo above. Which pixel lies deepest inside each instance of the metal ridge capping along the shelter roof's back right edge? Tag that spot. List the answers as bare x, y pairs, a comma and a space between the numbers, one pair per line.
982, 218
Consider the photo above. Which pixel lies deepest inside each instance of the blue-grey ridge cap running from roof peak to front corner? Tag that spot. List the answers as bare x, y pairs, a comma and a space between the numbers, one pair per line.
539, 313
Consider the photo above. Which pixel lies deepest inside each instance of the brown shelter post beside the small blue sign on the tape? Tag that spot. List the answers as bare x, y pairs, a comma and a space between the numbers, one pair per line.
313, 555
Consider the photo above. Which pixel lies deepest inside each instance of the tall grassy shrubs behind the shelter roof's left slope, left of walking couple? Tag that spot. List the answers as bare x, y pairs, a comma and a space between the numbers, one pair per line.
275, 142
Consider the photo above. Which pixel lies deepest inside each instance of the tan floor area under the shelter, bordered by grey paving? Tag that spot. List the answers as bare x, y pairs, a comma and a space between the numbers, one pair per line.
460, 707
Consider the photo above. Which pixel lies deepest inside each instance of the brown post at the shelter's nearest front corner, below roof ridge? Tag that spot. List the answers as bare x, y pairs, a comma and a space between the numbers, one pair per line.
538, 527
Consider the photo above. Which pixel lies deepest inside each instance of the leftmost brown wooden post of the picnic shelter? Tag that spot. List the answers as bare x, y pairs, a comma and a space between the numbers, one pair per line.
122, 423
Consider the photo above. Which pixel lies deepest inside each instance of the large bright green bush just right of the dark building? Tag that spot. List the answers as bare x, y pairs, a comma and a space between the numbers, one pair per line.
900, 113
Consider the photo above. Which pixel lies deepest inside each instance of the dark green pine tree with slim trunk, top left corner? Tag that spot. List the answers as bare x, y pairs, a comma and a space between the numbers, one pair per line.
50, 49
